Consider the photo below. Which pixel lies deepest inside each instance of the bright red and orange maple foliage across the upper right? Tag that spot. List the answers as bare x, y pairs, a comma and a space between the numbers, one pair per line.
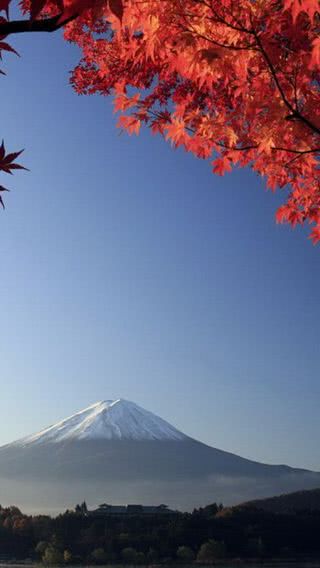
233, 82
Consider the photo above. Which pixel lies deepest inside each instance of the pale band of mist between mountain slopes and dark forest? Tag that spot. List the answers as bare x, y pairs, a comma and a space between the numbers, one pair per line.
53, 498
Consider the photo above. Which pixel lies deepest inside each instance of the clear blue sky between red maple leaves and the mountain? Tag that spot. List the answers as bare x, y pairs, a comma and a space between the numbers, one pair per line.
129, 270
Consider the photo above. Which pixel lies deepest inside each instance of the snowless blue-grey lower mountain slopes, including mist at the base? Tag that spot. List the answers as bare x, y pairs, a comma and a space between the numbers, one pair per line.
187, 474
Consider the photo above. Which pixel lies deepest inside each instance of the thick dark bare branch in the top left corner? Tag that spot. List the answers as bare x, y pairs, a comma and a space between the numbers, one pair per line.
26, 26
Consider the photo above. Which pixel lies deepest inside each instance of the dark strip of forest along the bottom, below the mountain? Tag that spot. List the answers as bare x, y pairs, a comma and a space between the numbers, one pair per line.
212, 534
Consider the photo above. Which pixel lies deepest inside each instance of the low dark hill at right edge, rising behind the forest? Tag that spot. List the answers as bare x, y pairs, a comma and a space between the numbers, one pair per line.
307, 500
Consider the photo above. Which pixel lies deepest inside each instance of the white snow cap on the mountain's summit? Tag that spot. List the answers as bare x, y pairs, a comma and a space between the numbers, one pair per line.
108, 420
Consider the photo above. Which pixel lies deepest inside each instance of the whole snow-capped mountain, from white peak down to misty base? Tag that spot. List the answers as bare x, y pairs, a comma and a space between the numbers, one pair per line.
115, 451
